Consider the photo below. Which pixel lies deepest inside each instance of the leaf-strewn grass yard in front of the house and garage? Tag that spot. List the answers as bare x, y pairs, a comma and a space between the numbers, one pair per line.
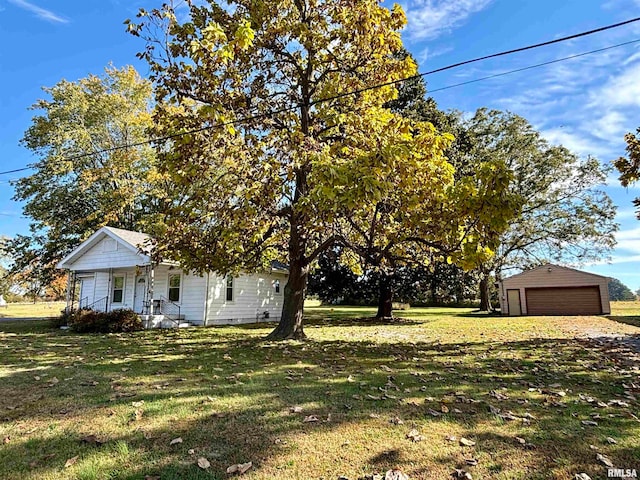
151, 404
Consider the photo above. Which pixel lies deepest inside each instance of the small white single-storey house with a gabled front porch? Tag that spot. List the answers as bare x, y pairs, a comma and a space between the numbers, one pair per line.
113, 272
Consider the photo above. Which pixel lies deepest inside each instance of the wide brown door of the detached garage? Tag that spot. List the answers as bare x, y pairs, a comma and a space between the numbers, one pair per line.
564, 301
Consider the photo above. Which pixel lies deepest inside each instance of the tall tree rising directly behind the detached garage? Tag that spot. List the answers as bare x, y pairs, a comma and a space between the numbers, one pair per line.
565, 216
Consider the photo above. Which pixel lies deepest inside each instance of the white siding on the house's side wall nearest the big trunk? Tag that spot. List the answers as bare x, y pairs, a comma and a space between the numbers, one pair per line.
252, 296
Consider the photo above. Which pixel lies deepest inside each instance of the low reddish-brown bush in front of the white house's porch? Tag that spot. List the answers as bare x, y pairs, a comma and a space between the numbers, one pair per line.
116, 321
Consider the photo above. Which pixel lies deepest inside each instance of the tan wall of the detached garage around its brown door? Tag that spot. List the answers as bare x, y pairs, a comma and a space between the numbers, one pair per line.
552, 276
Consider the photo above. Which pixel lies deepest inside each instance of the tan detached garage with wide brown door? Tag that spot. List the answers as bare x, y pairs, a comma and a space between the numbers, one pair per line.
554, 290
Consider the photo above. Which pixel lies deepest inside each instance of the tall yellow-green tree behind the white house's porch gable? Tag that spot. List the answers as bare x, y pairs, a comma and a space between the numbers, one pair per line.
82, 180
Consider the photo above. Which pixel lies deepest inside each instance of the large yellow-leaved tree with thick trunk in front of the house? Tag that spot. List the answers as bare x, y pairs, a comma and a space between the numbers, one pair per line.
277, 178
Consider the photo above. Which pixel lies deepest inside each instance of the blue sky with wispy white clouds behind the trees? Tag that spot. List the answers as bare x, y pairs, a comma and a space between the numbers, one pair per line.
586, 104
